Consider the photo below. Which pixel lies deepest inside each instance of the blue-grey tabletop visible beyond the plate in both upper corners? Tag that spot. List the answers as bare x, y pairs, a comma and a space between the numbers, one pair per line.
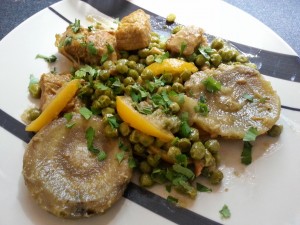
282, 16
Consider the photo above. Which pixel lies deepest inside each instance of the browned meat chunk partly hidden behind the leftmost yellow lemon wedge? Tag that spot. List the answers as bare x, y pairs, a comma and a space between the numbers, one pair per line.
50, 84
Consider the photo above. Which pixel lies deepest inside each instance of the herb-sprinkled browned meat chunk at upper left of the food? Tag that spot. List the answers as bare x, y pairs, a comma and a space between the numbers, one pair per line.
87, 46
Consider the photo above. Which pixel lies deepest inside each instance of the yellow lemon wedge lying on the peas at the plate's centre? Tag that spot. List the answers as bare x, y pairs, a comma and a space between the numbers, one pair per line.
138, 121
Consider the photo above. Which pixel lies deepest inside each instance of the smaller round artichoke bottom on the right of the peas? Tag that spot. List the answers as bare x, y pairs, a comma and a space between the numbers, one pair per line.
231, 112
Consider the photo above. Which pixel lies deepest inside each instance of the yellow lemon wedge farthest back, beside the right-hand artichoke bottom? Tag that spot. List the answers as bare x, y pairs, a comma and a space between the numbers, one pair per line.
173, 66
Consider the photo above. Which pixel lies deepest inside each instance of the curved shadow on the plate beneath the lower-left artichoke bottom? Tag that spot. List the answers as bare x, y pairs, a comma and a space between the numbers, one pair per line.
39, 216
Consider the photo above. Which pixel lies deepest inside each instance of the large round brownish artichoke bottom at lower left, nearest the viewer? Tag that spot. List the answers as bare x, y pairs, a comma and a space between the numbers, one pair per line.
68, 180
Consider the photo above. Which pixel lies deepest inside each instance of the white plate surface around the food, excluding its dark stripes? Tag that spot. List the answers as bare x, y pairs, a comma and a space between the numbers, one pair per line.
265, 192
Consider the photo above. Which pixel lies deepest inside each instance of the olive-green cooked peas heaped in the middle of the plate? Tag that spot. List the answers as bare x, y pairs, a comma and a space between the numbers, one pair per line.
115, 78
